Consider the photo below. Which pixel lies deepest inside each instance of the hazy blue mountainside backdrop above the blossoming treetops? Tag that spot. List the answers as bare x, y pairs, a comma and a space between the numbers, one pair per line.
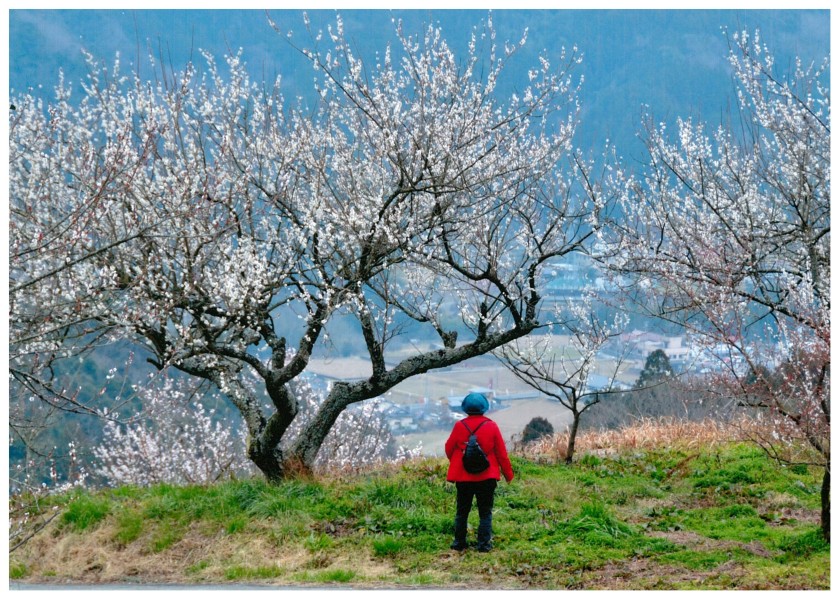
671, 60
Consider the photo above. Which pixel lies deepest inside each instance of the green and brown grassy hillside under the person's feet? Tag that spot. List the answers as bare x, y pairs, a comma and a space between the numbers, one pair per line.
676, 516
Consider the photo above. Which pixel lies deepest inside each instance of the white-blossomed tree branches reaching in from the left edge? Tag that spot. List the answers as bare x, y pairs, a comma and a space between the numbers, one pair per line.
67, 167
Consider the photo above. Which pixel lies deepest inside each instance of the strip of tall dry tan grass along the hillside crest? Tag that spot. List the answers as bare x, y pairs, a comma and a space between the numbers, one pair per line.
646, 434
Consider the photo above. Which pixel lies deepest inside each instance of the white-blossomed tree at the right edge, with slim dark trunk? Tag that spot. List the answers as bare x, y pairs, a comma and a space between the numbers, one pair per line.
729, 232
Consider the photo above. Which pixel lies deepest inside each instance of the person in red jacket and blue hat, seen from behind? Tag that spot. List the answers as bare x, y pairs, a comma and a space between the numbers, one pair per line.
481, 486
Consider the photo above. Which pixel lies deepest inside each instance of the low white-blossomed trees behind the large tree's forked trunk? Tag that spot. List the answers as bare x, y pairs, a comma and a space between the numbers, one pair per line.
179, 438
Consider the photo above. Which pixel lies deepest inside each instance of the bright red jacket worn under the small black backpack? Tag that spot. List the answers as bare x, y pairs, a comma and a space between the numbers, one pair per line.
489, 438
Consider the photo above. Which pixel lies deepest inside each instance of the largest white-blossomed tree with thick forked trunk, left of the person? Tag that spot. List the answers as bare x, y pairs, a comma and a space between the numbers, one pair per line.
408, 191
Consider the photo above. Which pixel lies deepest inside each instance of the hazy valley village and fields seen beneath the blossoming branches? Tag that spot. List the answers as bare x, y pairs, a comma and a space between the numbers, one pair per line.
423, 408
